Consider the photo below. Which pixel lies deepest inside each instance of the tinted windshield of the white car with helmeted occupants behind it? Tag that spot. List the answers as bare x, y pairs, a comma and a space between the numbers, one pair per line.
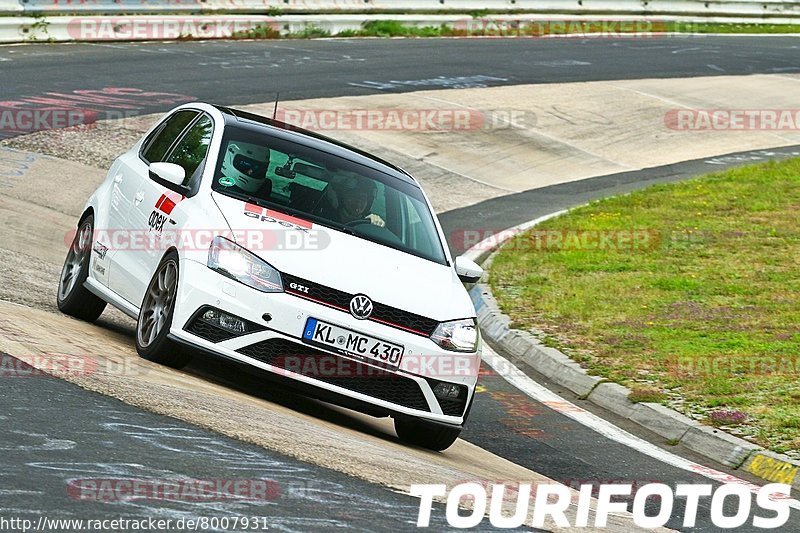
327, 189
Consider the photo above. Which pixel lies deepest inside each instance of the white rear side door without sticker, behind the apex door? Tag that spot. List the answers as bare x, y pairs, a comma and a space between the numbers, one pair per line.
131, 174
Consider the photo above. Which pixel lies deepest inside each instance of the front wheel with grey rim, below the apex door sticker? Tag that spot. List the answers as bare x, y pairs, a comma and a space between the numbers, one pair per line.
155, 317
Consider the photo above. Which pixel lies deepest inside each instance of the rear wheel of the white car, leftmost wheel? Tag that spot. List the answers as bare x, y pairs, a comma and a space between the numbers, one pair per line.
72, 297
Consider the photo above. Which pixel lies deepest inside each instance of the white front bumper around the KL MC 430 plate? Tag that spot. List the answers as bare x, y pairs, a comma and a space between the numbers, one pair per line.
277, 347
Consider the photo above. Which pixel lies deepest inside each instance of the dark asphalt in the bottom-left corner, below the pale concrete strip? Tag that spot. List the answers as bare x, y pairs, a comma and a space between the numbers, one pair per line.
62, 442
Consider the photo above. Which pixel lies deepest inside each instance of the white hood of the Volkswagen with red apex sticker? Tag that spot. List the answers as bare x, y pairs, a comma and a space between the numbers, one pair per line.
348, 263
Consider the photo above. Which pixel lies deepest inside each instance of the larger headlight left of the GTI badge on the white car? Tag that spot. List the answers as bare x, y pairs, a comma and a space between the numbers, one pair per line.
233, 261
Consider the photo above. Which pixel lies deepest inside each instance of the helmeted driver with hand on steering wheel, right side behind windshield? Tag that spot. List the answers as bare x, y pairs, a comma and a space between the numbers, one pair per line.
351, 198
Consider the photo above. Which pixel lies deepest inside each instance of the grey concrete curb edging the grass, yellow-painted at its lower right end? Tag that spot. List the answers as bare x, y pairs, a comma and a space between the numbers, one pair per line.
674, 427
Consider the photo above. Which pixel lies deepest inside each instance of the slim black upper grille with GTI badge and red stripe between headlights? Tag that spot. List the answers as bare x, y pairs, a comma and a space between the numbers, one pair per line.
381, 313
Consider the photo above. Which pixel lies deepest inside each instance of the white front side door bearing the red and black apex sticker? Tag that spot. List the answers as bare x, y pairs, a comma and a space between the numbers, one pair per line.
161, 210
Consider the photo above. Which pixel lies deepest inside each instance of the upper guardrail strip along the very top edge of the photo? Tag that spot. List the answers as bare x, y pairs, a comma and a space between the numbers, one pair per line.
274, 7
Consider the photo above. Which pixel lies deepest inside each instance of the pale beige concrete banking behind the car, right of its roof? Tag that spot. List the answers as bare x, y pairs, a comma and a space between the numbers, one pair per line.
569, 131
